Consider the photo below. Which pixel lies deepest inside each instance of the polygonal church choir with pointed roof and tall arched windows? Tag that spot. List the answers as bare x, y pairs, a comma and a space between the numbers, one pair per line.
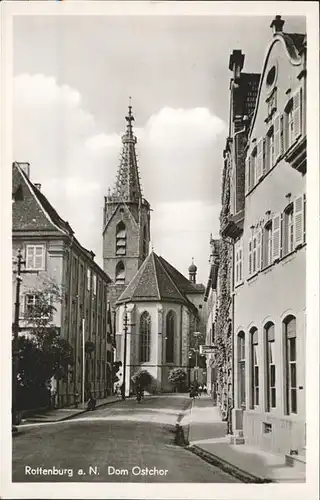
162, 308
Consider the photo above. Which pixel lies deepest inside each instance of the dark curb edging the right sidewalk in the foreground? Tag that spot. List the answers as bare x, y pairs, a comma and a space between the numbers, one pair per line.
245, 477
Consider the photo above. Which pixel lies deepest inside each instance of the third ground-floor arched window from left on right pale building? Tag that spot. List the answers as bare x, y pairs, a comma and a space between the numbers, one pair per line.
270, 366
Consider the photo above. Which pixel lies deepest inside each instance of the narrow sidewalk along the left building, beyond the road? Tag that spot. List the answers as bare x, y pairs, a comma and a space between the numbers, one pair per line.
60, 414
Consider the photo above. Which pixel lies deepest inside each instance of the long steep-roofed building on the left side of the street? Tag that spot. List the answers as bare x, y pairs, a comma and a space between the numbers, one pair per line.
53, 256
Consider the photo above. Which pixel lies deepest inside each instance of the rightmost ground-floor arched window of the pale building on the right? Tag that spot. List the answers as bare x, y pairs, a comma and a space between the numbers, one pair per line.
289, 329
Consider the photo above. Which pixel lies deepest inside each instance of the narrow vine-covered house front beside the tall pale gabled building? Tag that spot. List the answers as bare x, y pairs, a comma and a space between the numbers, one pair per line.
243, 92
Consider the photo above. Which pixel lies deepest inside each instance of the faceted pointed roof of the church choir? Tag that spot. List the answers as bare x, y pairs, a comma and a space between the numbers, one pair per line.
157, 280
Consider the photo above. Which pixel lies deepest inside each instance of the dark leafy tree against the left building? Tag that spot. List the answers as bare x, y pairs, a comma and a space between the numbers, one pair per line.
43, 354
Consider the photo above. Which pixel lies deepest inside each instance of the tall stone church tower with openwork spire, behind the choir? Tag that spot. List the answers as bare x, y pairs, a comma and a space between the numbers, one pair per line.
126, 219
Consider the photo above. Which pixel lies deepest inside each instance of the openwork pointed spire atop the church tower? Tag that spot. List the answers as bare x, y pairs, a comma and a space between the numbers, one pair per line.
128, 180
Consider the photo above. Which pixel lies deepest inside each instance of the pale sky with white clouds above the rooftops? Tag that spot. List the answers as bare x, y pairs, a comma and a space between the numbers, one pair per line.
73, 76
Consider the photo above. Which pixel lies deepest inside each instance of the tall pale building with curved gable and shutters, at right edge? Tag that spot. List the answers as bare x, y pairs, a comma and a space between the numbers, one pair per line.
270, 258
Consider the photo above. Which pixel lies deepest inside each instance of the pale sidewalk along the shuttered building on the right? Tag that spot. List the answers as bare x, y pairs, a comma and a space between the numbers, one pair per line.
207, 438
